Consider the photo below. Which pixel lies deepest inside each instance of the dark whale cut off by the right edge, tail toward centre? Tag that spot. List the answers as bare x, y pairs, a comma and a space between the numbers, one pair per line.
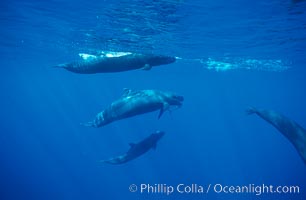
289, 128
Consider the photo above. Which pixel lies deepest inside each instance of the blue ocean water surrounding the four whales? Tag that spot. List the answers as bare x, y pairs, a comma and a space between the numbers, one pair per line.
235, 54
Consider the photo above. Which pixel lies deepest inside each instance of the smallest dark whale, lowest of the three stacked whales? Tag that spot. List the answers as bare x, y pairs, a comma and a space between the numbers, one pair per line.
137, 149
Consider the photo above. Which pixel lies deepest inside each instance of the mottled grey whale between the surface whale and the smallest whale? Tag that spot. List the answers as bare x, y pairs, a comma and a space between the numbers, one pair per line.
136, 102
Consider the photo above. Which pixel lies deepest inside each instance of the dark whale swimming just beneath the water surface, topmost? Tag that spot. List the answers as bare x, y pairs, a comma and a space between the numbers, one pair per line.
92, 64
